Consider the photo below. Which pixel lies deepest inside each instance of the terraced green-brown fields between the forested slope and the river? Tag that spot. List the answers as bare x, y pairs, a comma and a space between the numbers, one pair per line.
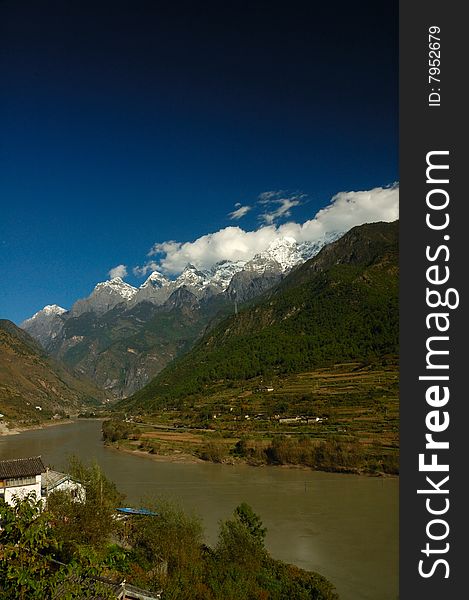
340, 418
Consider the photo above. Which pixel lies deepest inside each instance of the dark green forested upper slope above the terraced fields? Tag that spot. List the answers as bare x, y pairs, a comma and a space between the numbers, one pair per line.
341, 306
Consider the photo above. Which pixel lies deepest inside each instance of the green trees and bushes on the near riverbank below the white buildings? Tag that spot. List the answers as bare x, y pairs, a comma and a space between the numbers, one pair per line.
72, 549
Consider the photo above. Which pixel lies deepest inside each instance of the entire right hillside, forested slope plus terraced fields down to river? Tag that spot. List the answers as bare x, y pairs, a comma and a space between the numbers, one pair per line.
314, 359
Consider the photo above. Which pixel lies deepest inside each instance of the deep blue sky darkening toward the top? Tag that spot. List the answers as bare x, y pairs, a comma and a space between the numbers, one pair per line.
125, 123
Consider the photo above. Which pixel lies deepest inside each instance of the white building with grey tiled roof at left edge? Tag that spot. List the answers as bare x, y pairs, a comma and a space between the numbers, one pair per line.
19, 477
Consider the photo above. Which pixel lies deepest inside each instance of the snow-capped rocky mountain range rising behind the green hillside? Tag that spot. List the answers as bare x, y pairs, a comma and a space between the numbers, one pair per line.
151, 324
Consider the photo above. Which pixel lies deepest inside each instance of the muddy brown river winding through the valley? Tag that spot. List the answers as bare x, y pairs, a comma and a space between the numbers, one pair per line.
343, 526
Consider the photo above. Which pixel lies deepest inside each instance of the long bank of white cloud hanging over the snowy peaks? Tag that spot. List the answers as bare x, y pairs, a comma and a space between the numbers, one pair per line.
344, 211
